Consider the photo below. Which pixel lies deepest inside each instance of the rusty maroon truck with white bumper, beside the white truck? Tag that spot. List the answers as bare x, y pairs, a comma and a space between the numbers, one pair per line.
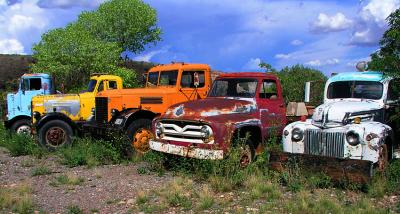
242, 105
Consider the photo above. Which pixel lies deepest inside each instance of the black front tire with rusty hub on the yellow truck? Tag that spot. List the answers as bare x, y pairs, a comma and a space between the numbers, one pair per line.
55, 134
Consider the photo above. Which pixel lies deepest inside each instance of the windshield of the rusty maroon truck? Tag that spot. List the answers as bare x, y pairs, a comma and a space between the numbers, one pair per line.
232, 87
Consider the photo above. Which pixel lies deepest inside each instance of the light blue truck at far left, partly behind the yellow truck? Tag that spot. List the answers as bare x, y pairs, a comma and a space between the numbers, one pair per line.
17, 112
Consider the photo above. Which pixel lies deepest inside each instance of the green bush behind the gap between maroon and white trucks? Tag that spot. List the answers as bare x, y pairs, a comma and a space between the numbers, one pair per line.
293, 81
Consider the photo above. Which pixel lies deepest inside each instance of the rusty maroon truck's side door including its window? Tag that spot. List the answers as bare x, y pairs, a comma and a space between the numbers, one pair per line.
271, 107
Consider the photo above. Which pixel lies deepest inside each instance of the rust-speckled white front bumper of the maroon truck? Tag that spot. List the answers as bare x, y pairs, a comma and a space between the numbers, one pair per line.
187, 151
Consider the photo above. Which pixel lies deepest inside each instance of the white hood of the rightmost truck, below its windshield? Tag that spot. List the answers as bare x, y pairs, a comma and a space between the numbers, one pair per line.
334, 112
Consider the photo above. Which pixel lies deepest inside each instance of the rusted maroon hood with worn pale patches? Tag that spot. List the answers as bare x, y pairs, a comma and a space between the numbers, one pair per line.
211, 108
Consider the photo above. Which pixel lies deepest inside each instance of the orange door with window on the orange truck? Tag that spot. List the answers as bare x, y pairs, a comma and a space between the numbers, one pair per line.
192, 85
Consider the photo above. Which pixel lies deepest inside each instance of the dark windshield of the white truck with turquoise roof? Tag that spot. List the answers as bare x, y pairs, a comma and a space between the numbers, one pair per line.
355, 89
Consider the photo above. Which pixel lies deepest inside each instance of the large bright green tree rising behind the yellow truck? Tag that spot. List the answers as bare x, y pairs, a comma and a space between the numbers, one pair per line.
95, 42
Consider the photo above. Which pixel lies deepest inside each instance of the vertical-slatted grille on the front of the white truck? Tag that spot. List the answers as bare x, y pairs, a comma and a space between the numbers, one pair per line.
329, 144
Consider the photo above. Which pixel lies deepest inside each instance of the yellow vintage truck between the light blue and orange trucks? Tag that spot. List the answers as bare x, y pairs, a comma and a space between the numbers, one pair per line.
57, 117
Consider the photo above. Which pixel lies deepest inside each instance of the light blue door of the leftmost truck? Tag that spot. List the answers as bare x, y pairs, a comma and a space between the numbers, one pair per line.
30, 87
